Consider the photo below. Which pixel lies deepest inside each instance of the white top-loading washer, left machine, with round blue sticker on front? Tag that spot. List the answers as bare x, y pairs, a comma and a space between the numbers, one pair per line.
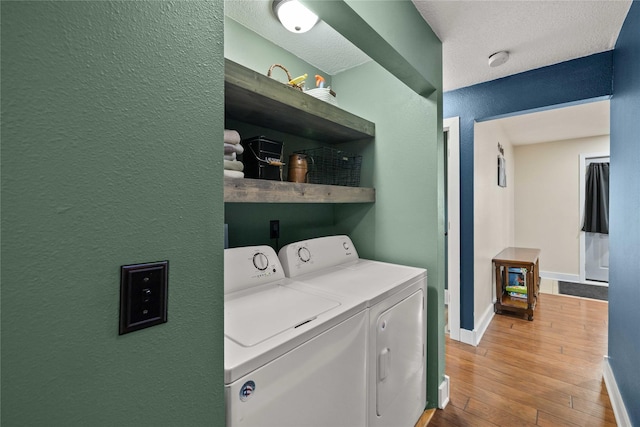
293, 356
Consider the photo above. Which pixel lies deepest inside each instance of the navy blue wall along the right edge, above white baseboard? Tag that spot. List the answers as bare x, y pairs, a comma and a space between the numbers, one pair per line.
624, 280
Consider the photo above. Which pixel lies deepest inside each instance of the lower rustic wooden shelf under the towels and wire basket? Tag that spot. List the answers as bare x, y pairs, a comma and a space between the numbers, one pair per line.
244, 190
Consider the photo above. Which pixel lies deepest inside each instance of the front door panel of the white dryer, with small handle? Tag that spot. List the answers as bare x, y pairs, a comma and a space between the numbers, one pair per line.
400, 359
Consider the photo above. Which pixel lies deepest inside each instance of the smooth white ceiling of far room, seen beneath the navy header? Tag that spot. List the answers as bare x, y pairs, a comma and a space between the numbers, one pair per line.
578, 121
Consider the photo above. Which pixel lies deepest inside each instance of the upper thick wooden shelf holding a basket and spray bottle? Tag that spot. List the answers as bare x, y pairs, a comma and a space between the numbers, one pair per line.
257, 99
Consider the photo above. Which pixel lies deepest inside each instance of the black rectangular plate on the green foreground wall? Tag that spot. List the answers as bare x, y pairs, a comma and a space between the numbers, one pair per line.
143, 295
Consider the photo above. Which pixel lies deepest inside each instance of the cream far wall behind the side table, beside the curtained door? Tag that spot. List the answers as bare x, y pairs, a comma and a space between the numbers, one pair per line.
547, 211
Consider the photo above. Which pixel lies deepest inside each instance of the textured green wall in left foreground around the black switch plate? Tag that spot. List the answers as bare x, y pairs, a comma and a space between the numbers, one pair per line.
112, 113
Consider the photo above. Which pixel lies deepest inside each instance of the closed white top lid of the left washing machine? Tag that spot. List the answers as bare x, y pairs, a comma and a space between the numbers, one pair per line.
253, 317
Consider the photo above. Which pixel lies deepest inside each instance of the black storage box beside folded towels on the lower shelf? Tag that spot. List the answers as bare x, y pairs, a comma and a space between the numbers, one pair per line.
262, 158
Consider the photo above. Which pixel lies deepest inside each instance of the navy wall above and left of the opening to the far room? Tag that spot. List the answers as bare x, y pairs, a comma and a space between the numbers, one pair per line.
569, 82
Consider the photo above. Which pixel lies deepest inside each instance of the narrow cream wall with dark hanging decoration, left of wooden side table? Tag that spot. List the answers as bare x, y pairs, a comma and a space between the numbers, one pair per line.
493, 212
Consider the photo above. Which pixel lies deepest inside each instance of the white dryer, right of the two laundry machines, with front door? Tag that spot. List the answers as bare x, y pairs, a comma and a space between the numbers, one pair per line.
395, 296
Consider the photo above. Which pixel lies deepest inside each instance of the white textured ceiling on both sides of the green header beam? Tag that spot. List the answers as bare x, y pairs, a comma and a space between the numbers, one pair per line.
536, 33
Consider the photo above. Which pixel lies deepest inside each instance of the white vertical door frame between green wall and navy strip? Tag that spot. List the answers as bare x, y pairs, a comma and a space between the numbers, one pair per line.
452, 126
